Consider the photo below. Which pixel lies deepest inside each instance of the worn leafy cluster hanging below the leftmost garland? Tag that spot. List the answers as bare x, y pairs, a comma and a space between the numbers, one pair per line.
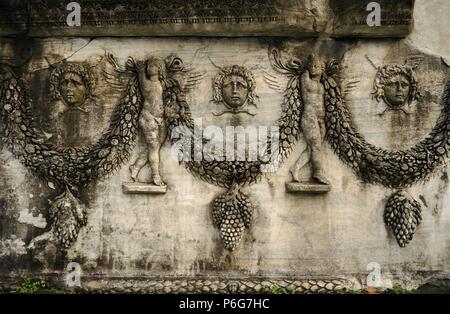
67, 215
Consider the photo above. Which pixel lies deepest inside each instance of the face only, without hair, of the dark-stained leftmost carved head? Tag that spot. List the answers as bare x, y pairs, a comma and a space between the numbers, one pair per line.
72, 89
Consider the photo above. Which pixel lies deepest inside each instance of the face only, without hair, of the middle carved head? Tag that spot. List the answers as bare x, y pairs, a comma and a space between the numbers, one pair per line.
235, 91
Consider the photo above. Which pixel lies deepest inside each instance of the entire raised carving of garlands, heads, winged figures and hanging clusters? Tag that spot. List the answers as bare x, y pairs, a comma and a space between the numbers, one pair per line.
153, 103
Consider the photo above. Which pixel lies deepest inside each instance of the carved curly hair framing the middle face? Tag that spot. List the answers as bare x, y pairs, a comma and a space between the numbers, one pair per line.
238, 71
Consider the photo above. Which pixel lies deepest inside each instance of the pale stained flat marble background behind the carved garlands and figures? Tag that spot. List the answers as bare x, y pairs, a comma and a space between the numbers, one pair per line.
332, 235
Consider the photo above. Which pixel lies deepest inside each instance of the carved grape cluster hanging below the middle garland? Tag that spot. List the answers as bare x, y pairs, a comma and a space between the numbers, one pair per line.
232, 213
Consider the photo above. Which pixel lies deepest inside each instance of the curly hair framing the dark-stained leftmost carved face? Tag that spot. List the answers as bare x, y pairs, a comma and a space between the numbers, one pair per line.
69, 67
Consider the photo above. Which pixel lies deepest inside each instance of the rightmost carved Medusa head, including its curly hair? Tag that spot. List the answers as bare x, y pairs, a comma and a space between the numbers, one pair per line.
396, 85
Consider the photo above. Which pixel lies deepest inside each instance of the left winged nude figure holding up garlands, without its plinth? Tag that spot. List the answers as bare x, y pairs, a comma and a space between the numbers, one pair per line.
154, 76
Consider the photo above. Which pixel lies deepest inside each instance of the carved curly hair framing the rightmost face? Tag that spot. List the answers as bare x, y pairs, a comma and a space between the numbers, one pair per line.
386, 72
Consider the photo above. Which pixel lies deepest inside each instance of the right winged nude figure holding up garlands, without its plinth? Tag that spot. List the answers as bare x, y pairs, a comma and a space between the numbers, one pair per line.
305, 77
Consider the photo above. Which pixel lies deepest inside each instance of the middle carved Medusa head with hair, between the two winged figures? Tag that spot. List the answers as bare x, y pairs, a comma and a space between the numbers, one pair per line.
234, 87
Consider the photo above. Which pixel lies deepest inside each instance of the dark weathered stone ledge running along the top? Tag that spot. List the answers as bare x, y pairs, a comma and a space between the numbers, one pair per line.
287, 18
